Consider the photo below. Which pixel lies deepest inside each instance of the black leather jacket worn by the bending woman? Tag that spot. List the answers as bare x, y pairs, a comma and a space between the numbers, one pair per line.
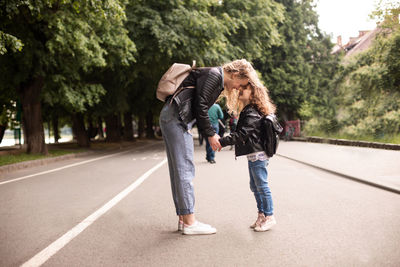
193, 103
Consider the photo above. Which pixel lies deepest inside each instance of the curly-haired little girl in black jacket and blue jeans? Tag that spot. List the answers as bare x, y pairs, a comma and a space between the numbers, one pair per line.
254, 103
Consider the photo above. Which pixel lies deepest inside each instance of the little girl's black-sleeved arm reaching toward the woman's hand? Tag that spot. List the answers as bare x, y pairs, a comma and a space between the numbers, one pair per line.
241, 134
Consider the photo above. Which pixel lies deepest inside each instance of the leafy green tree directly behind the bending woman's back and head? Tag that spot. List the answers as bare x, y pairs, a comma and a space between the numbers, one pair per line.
210, 32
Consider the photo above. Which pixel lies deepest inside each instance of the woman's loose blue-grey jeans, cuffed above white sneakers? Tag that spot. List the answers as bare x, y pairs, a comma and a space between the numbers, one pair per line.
179, 147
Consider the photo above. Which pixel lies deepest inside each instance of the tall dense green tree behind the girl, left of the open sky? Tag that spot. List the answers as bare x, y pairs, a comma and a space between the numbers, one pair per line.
298, 71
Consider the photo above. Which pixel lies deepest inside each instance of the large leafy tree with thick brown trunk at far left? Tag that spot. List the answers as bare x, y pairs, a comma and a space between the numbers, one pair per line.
64, 41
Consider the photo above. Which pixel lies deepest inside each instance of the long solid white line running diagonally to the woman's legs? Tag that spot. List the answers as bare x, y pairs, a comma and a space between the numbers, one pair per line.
54, 247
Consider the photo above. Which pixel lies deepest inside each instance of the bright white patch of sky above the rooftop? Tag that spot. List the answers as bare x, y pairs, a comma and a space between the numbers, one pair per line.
345, 17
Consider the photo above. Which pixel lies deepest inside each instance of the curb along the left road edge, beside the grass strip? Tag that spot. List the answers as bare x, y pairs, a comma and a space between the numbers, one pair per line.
39, 162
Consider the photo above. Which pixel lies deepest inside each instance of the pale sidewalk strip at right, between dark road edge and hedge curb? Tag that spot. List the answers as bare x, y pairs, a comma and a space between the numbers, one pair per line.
378, 166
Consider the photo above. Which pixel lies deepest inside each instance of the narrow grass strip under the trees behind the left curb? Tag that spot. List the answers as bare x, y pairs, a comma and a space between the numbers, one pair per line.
20, 157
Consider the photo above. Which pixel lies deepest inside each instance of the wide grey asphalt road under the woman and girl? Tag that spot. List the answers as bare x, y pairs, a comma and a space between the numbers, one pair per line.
322, 219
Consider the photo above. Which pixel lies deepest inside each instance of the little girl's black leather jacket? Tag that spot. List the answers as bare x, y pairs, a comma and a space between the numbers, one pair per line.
248, 137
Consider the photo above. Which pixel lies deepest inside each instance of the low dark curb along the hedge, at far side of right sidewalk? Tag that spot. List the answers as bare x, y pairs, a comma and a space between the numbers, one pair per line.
345, 142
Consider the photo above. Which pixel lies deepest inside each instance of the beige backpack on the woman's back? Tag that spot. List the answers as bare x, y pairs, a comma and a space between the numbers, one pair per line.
170, 81
